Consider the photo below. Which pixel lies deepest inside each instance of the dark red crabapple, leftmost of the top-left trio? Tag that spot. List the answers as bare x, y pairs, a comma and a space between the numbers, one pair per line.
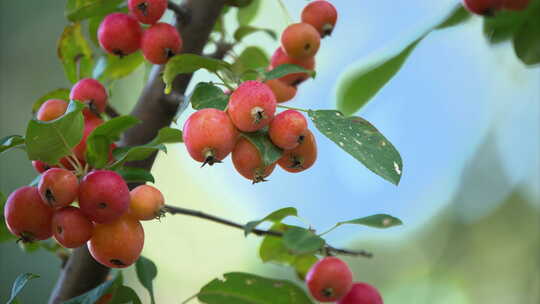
120, 34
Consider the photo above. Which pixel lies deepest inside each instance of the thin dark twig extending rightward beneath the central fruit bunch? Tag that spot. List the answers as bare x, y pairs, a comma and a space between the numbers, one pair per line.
260, 232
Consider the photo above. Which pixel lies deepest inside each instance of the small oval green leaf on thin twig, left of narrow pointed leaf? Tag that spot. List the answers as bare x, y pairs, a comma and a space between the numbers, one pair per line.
302, 241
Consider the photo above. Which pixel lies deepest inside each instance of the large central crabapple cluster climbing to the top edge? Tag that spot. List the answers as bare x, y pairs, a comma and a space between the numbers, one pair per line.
211, 135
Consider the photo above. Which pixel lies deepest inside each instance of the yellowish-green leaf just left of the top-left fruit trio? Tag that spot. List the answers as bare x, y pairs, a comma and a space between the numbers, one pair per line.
75, 53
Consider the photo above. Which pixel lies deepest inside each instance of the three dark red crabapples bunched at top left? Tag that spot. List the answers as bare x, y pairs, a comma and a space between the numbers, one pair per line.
121, 34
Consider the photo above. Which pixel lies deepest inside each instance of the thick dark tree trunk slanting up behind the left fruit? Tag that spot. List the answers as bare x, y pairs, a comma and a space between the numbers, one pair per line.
156, 110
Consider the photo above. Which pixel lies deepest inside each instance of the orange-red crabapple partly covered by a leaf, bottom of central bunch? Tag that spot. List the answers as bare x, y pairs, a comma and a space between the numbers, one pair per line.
248, 162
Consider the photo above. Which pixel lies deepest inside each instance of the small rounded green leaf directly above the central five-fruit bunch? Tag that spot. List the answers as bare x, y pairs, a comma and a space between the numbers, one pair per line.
251, 60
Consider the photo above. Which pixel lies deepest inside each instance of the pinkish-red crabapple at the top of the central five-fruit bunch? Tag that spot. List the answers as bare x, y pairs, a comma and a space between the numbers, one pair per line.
252, 106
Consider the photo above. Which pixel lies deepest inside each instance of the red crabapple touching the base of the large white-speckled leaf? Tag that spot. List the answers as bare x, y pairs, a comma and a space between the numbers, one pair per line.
288, 129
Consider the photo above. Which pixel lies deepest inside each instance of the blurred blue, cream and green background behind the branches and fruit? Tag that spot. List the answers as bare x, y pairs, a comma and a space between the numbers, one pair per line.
465, 117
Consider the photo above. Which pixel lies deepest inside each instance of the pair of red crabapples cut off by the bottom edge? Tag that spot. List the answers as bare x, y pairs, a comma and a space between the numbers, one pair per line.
331, 280
